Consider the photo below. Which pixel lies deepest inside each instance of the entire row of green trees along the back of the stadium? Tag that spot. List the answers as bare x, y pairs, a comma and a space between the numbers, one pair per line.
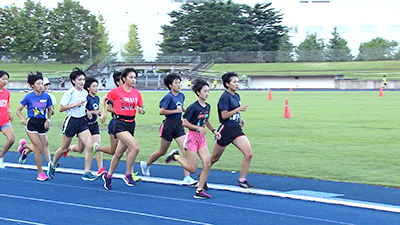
68, 32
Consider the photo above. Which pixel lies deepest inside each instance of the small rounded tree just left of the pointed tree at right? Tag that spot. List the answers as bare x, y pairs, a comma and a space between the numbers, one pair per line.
311, 49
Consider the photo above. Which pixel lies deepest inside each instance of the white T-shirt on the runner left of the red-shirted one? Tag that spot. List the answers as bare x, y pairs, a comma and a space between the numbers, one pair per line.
73, 96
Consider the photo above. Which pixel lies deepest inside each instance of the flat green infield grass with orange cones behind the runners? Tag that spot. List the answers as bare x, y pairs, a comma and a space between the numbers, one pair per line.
340, 136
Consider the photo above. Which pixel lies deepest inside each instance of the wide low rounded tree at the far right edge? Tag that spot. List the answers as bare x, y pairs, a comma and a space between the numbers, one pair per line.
377, 49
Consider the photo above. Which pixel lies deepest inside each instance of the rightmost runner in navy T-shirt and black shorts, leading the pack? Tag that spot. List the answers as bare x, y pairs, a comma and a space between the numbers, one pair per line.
229, 108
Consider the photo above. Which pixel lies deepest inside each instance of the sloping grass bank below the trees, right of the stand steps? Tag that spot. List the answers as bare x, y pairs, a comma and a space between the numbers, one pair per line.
356, 69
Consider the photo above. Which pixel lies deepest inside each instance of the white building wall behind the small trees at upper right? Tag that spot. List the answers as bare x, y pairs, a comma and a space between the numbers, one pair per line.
358, 21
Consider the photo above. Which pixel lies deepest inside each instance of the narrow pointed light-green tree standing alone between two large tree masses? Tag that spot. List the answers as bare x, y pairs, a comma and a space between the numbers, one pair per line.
103, 47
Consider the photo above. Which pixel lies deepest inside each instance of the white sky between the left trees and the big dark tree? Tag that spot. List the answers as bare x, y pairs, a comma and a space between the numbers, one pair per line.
147, 15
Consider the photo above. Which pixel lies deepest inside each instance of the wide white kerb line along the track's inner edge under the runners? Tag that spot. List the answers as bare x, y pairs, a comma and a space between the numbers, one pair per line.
337, 201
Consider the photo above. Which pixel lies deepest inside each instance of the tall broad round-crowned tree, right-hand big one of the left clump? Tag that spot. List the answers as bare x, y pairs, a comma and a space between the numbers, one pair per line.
71, 27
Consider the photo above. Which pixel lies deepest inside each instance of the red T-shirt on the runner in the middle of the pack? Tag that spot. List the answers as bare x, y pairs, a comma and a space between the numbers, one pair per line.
125, 103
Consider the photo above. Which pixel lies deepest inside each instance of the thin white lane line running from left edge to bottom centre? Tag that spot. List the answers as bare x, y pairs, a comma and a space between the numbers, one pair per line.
101, 208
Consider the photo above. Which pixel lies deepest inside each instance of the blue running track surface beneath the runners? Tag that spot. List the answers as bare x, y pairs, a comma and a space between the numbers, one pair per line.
69, 200
